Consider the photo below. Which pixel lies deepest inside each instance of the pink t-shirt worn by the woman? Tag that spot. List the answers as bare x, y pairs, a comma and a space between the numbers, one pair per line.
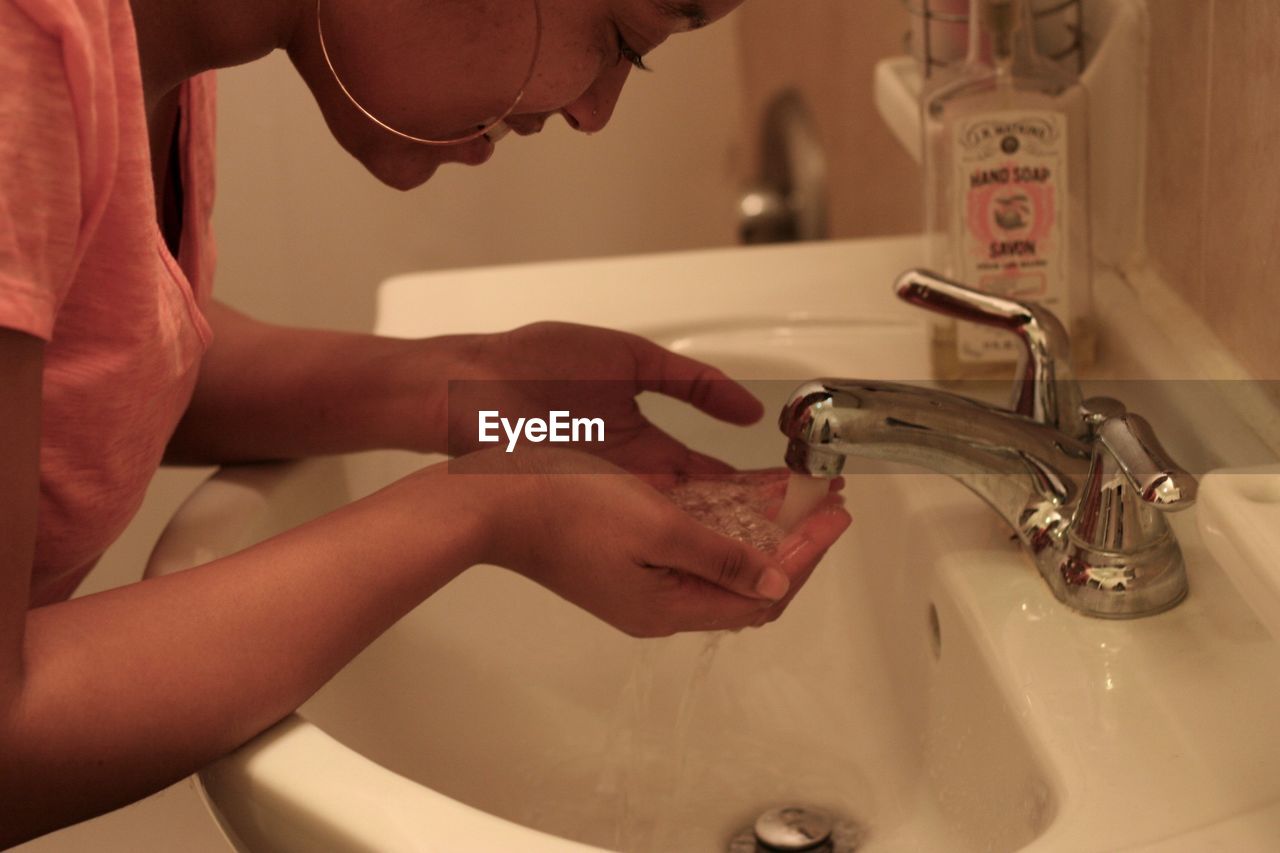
84, 266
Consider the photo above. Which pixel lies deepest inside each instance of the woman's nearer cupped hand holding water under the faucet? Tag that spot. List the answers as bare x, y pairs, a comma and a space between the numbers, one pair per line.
612, 545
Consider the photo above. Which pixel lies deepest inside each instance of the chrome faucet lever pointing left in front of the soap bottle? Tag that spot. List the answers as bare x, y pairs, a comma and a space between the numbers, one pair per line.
1045, 389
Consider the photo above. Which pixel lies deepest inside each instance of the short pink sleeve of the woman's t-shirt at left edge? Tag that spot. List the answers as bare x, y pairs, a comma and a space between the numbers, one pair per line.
42, 199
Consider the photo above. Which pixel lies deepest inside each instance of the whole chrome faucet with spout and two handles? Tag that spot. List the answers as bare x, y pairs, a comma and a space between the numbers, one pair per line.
1085, 485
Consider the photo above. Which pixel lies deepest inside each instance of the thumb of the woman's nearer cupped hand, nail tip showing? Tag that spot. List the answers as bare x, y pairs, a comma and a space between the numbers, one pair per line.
726, 563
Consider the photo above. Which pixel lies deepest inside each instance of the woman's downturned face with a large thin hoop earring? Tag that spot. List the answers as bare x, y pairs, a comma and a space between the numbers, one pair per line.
444, 69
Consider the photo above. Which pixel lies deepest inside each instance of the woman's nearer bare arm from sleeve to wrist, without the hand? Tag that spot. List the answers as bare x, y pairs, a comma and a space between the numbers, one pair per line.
111, 697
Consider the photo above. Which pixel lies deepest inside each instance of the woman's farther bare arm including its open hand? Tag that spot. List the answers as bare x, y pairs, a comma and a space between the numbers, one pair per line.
277, 393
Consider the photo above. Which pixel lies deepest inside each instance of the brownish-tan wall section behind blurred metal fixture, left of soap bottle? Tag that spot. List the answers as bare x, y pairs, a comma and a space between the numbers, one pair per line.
829, 49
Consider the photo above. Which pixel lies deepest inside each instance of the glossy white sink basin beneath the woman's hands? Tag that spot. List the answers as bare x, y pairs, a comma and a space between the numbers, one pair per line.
926, 685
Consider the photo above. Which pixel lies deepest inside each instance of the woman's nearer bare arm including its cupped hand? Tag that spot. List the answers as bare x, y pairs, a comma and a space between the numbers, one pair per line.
111, 697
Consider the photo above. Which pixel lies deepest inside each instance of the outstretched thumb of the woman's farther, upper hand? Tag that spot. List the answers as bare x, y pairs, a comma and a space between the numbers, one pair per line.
697, 384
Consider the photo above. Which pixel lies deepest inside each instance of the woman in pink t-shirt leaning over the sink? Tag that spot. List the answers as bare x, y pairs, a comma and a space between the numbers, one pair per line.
113, 357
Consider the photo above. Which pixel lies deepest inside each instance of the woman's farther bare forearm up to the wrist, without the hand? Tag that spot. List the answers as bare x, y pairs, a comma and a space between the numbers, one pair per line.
276, 393
